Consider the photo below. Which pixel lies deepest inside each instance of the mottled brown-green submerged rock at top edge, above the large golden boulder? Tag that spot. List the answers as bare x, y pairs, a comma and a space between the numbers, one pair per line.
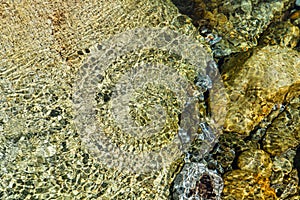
238, 22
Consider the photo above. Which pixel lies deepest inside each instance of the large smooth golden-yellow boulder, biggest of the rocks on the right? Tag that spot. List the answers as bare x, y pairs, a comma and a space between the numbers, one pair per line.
267, 79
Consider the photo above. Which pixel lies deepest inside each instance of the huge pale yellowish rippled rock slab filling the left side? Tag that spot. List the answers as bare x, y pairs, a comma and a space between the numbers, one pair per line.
42, 48
